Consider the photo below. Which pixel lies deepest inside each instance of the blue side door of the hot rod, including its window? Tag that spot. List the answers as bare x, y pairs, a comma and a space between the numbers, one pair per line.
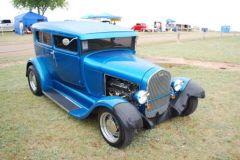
65, 59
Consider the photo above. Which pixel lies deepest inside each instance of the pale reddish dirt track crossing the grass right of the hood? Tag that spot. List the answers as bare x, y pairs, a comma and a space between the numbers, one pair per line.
212, 65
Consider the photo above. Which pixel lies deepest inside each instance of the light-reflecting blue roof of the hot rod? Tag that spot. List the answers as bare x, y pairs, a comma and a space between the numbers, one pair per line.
85, 29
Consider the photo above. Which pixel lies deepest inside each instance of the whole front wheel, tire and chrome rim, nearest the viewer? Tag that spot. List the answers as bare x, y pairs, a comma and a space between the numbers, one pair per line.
114, 133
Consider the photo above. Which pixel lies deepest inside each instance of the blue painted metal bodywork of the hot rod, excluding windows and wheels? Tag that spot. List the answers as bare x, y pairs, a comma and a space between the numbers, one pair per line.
81, 77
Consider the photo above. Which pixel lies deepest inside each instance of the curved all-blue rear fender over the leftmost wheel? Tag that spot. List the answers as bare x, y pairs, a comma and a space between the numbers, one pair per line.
45, 78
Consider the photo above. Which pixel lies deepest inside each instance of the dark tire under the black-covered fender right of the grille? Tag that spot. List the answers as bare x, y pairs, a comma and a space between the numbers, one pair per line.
191, 106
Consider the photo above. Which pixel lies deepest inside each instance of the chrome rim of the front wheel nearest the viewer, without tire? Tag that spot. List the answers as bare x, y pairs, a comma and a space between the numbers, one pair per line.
109, 127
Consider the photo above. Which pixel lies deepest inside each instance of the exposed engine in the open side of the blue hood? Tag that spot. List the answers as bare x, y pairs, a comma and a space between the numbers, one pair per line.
121, 88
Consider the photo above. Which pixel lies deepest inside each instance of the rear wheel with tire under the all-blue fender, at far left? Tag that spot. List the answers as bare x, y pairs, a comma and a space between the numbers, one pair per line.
34, 81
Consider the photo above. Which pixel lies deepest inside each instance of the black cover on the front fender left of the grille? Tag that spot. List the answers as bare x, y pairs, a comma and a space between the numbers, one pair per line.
129, 115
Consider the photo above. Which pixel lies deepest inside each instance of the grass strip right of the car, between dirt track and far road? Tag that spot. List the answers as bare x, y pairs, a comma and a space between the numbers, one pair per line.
226, 49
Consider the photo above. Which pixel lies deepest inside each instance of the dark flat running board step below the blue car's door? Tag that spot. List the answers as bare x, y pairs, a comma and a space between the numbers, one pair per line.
61, 100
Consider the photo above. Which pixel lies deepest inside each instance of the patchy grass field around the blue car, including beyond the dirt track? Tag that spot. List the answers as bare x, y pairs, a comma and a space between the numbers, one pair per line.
36, 128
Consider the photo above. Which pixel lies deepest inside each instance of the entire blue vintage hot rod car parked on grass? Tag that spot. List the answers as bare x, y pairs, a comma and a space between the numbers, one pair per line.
91, 67
